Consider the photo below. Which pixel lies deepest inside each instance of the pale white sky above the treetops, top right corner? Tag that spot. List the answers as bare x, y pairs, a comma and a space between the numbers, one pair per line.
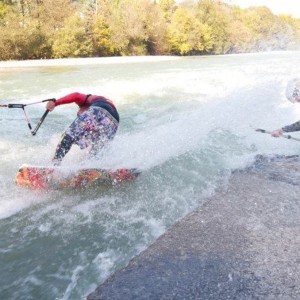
287, 7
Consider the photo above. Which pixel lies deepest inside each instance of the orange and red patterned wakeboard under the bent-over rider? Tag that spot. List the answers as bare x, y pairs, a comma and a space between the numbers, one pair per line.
43, 178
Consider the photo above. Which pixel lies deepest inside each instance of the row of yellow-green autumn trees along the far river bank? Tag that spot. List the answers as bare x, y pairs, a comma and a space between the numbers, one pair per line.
40, 29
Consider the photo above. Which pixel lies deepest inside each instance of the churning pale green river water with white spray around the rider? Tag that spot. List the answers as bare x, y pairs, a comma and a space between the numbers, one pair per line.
185, 122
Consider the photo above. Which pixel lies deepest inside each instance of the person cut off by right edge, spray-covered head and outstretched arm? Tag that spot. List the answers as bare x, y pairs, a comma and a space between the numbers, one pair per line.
293, 94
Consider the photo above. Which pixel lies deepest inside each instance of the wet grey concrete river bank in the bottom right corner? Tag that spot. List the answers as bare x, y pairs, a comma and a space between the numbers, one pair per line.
243, 243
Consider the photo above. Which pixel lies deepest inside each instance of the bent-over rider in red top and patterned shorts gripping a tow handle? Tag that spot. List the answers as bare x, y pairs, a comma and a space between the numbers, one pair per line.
96, 123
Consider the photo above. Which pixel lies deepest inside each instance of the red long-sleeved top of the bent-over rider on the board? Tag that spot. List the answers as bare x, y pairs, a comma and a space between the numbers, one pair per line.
82, 100
